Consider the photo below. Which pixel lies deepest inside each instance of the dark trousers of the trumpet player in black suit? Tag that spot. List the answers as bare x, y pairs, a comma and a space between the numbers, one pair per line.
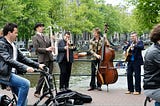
65, 73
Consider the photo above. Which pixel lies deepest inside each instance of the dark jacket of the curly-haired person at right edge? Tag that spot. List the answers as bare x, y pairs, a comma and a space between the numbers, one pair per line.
152, 67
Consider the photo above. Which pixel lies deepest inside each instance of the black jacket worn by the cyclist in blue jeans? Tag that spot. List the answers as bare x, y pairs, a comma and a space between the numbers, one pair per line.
7, 62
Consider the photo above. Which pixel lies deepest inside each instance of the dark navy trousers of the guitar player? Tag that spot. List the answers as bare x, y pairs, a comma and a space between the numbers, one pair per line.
135, 68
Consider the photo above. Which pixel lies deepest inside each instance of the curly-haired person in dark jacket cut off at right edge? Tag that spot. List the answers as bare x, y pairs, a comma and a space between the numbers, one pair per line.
152, 67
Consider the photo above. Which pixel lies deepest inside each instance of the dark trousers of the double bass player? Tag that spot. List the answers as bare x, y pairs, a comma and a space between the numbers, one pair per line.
94, 69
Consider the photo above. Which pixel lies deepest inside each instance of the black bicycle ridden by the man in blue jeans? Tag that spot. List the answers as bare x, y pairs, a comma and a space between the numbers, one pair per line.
50, 101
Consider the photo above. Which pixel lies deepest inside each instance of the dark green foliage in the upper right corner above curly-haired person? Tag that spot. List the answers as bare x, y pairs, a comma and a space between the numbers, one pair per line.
146, 14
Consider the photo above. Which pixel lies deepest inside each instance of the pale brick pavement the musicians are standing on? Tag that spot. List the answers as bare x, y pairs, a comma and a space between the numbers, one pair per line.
115, 96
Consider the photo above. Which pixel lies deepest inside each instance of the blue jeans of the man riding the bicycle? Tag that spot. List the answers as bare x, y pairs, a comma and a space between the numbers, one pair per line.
20, 86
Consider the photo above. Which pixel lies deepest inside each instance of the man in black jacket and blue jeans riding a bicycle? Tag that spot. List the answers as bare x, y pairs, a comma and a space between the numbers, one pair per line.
12, 61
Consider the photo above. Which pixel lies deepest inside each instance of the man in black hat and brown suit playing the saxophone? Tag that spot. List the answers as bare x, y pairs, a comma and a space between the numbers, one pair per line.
43, 49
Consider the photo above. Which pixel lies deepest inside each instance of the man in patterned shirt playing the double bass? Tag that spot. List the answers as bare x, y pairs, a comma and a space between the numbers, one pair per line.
94, 48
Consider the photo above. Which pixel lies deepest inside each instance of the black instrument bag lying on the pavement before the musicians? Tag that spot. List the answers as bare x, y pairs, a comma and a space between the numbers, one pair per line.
71, 98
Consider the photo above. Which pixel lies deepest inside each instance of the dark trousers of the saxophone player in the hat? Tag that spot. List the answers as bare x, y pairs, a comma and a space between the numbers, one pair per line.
41, 80
